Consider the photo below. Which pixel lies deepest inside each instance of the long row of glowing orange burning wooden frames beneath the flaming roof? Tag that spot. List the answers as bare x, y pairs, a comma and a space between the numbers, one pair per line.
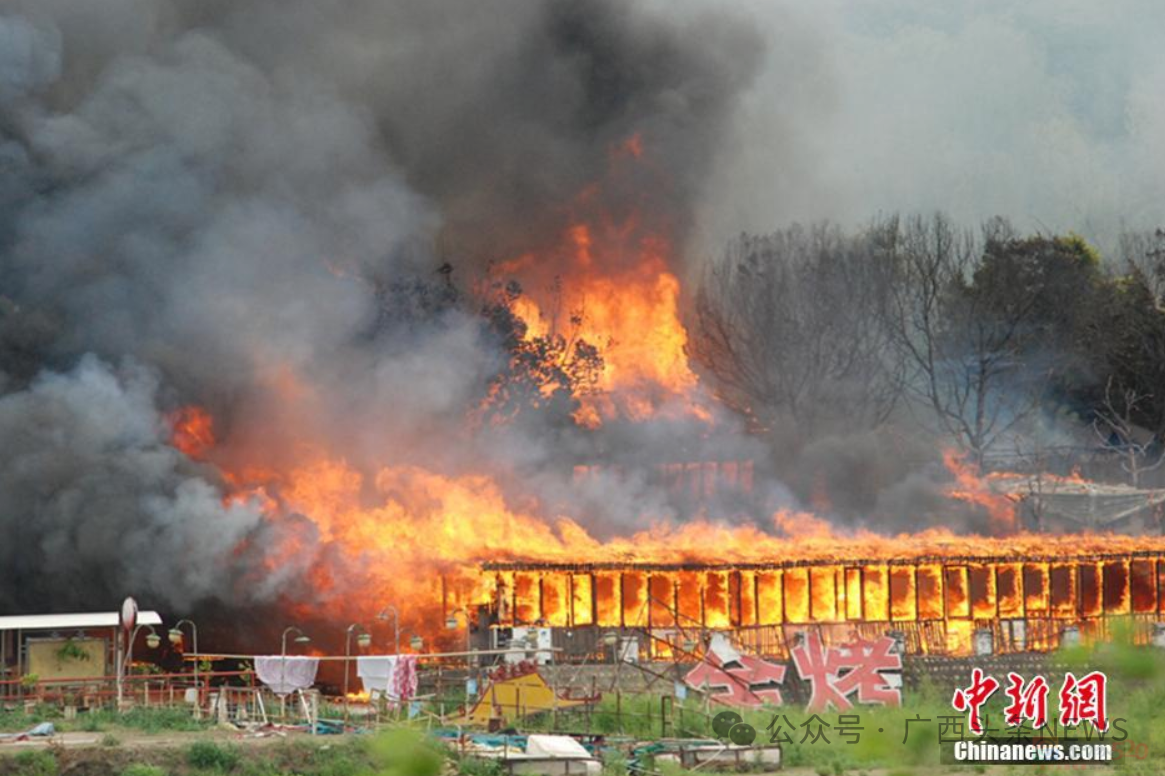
941, 605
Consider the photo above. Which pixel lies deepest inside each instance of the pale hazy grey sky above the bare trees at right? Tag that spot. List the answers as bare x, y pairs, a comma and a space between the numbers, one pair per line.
1050, 112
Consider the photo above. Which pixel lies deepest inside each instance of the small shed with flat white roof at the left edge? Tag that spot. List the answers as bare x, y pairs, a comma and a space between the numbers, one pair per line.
62, 646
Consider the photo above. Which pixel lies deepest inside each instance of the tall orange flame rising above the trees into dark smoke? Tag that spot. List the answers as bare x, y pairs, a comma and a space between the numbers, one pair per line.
616, 288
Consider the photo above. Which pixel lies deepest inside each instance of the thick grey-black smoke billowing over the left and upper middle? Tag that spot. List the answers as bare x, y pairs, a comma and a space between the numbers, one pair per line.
206, 203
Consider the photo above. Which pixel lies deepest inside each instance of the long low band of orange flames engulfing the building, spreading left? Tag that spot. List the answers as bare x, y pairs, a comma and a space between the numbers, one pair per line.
416, 539
